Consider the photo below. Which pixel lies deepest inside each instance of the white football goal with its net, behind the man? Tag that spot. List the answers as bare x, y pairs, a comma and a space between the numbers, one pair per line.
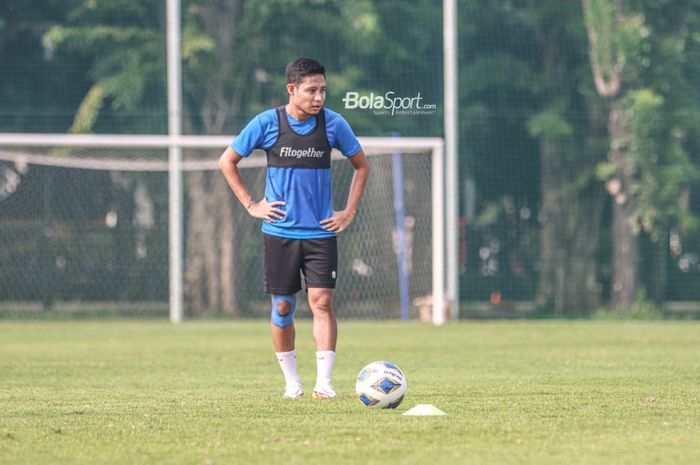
84, 222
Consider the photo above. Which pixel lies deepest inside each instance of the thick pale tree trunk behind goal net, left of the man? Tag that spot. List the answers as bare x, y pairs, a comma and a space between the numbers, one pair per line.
211, 231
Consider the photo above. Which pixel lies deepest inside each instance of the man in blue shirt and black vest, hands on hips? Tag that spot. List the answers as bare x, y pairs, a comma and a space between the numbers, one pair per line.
299, 223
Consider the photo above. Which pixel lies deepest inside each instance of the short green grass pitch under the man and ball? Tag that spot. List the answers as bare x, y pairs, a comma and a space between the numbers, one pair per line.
146, 392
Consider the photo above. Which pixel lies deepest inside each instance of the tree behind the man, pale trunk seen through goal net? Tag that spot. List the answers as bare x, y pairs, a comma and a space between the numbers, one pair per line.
235, 68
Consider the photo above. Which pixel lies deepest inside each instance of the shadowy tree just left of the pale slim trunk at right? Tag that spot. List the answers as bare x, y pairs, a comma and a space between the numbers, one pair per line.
572, 200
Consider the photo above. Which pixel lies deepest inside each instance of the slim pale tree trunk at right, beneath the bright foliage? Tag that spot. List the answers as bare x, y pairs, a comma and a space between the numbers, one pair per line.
625, 240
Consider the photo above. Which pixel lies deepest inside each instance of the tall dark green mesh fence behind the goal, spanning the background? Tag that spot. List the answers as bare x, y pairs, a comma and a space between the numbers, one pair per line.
579, 152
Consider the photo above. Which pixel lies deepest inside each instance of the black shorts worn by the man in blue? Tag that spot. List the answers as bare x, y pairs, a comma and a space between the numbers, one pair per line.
285, 258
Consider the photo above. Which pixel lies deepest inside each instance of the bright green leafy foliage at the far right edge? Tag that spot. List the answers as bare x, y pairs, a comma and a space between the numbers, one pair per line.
656, 111
